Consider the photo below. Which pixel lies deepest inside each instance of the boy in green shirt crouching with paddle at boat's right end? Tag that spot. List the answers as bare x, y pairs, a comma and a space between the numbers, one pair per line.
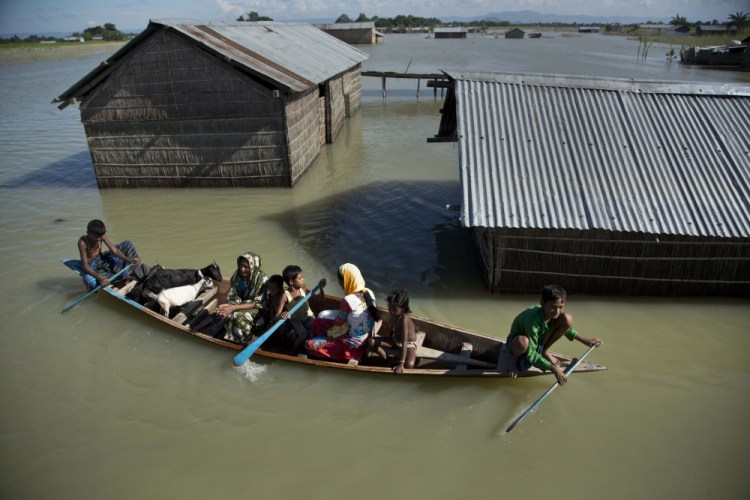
536, 329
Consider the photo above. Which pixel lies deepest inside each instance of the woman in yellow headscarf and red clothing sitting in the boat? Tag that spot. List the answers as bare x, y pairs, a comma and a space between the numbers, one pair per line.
357, 312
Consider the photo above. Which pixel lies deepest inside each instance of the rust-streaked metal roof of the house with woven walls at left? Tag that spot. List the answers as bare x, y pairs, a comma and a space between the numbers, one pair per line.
278, 53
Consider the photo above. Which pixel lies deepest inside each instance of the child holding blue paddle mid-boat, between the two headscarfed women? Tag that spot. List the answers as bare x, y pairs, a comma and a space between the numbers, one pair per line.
300, 323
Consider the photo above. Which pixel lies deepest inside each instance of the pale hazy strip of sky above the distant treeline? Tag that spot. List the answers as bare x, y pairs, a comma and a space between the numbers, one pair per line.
68, 16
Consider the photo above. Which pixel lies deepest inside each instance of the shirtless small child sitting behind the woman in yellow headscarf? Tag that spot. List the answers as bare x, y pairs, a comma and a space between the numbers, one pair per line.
397, 330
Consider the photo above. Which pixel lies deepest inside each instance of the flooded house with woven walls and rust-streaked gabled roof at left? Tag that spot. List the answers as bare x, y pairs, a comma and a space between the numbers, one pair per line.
216, 104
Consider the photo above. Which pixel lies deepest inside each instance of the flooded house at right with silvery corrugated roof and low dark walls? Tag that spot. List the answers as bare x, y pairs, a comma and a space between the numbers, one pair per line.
603, 185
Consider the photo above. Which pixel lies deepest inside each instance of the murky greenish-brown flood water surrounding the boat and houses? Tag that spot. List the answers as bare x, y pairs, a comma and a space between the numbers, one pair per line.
98, 403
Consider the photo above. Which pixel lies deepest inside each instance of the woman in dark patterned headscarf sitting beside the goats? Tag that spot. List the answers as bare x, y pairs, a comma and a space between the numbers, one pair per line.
245, 299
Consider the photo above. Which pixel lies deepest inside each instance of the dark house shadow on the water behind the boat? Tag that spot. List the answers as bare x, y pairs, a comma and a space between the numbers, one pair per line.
399, 233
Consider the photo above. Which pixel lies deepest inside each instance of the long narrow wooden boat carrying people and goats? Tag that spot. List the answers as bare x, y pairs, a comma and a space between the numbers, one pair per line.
444, 350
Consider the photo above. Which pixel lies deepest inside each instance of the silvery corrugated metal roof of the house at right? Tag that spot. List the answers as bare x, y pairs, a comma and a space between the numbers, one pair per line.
563, 152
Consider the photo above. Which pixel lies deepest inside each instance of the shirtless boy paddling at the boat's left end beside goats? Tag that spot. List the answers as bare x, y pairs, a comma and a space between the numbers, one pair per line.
98, 266
